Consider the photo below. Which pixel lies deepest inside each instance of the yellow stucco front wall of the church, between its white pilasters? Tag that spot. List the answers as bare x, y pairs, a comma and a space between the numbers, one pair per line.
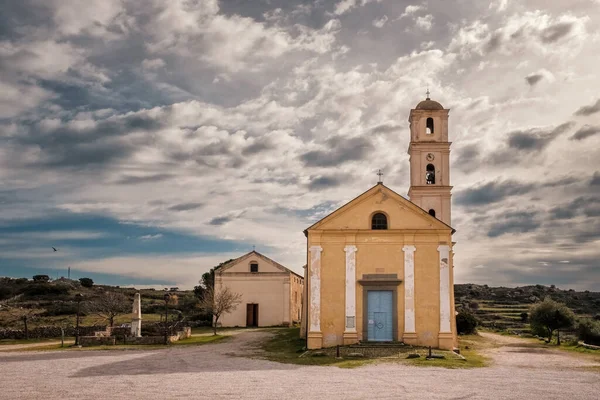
380, 252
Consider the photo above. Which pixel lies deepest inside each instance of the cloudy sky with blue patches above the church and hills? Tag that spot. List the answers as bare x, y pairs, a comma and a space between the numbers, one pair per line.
150, 140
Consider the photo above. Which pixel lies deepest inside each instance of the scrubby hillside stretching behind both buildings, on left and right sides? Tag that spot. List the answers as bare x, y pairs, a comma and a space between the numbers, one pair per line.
54, 303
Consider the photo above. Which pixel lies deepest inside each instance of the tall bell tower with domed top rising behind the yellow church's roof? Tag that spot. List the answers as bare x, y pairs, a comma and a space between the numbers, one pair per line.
429, 152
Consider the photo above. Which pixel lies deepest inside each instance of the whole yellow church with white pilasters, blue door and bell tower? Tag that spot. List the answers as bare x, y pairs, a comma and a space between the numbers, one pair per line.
379, 268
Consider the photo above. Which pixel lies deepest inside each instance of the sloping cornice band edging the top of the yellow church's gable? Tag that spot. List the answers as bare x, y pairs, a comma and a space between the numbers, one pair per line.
407, 204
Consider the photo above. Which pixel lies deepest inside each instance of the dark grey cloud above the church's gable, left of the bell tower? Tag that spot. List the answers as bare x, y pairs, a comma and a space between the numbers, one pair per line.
340, 151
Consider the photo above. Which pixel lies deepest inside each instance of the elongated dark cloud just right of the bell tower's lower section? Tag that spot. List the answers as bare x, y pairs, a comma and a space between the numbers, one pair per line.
492, 192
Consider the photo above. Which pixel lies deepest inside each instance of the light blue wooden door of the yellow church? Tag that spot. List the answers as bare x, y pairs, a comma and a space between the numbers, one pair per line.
380, 308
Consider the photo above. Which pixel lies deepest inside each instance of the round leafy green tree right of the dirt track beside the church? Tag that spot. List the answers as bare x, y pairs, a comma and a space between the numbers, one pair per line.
551, 316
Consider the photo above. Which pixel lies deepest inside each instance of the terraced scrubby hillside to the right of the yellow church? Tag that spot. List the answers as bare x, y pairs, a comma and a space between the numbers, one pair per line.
504, 308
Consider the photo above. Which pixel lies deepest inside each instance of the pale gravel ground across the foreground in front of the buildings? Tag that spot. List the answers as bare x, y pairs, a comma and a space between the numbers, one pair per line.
518, 371
